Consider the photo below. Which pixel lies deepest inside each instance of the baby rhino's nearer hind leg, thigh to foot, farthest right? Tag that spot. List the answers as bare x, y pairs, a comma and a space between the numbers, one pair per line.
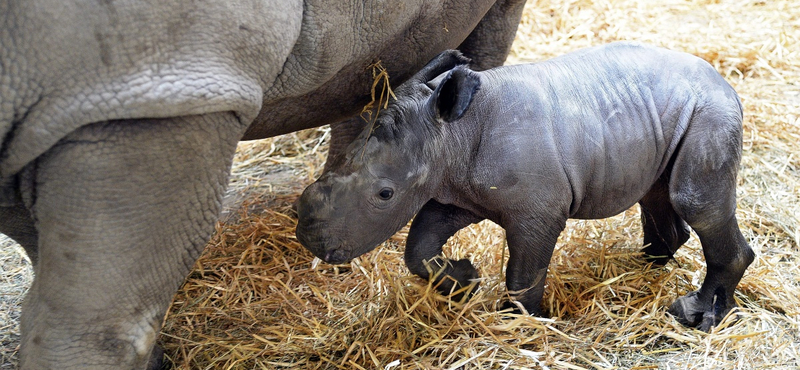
703, 192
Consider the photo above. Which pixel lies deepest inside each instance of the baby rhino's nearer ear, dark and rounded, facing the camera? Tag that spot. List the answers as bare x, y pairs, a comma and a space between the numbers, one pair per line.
454, 94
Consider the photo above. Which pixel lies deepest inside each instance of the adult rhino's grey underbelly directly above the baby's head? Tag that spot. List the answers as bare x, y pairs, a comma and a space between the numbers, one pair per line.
328, 77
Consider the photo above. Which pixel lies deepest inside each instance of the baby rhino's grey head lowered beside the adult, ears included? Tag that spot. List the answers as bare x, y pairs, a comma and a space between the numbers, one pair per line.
390, 170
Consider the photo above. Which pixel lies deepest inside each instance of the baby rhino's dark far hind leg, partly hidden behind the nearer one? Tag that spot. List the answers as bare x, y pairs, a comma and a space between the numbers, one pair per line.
664, 230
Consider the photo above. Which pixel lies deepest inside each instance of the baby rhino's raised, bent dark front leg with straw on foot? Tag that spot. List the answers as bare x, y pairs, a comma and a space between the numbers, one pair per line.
433, 225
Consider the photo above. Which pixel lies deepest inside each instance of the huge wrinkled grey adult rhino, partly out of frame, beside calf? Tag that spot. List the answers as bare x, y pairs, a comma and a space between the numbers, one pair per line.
119, 120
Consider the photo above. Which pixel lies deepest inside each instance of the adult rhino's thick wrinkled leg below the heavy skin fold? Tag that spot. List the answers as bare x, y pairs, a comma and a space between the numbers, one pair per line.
123, 210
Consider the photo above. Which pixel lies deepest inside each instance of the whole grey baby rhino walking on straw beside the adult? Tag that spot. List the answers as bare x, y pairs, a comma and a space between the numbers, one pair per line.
585, 135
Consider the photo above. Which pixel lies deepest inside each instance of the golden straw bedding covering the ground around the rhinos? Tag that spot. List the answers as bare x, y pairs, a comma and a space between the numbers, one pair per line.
257, 300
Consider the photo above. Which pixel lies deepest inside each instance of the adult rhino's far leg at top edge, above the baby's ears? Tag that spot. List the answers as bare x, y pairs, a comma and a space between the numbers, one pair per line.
489, 43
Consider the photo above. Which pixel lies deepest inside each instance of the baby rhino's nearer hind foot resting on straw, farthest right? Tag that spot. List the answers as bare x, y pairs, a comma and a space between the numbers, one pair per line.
703, 314
